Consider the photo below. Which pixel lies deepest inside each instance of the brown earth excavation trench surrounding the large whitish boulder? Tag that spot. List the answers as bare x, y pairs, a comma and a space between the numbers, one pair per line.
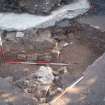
80, 45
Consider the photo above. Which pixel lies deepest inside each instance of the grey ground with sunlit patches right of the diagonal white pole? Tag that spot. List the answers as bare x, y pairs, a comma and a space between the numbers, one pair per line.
90, 90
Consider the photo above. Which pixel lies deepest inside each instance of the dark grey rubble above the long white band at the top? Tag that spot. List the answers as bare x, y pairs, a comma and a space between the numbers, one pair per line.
31, 6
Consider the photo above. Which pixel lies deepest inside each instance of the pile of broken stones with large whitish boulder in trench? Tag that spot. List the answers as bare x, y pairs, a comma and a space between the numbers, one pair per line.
44, 84
